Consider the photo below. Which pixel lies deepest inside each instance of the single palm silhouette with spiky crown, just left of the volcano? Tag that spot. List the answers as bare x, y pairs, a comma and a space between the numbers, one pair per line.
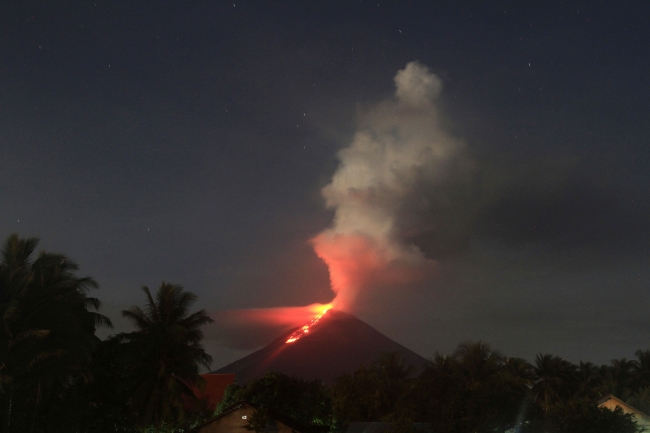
167, 353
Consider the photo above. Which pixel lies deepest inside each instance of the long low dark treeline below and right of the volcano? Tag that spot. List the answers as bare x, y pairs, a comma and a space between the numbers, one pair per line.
475, 389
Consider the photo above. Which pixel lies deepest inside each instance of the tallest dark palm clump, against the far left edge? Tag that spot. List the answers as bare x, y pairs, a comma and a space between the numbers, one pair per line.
47, 333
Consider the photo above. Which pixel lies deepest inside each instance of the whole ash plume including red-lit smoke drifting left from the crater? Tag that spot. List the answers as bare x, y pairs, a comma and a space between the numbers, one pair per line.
391, 184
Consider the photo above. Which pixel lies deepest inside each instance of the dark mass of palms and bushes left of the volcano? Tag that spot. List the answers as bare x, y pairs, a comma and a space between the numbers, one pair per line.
57, 376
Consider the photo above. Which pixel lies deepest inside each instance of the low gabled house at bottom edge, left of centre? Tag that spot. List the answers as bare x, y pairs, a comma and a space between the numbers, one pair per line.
235, 418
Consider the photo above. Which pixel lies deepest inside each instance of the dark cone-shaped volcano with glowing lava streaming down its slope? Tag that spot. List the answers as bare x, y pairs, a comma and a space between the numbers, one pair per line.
336, 344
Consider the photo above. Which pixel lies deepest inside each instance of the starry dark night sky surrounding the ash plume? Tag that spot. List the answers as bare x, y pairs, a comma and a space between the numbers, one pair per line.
190, 141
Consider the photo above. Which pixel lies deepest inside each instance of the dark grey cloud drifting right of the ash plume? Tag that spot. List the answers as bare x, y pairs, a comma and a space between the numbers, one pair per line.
560, 207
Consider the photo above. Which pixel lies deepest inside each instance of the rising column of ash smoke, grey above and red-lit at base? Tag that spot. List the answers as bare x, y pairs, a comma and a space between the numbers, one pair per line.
397, 151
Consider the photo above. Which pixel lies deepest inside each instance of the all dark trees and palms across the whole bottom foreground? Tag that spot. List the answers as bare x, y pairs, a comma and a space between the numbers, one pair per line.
57, 376
